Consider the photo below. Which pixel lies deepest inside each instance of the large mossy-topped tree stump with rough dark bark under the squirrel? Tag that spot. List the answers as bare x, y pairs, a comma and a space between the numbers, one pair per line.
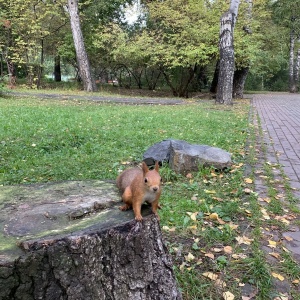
69, 241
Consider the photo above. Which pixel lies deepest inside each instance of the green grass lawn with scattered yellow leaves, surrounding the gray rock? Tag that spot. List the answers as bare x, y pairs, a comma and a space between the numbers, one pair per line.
211, 231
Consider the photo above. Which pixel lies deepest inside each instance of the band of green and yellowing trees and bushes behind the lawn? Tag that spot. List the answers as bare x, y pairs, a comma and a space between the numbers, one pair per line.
174, 44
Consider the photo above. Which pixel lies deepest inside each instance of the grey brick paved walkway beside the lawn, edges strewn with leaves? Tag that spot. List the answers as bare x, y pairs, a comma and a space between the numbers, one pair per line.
279, 116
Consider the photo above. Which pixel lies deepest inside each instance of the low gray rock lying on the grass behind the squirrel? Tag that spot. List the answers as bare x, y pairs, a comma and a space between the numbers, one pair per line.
184, 157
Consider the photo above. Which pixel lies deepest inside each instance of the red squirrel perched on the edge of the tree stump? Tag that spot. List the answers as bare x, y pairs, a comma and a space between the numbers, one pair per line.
138, 186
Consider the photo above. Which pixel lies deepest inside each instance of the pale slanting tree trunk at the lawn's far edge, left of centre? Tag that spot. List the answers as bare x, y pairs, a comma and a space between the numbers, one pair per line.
81, 55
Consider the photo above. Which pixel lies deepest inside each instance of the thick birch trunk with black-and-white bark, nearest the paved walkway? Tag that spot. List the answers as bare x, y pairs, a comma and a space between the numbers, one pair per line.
226, 47
